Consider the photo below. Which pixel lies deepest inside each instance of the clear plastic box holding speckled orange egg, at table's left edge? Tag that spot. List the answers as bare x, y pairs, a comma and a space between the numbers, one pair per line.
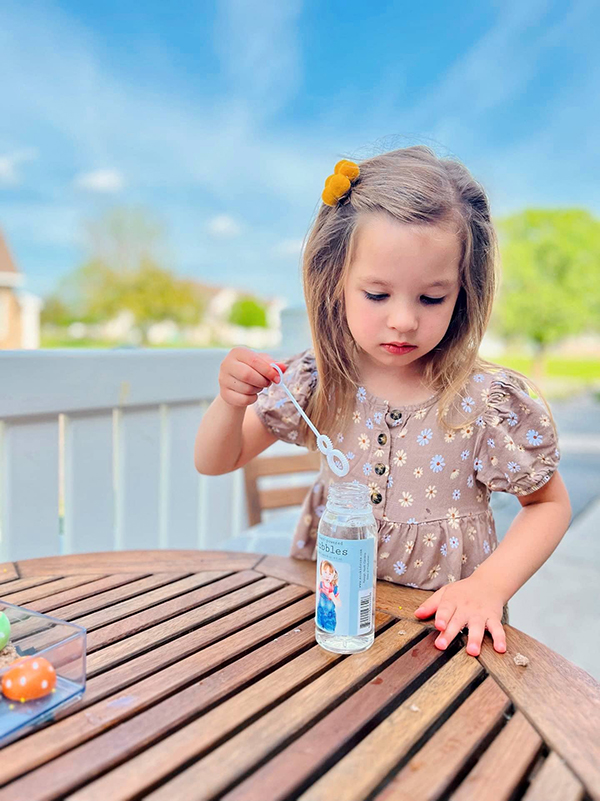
63, 645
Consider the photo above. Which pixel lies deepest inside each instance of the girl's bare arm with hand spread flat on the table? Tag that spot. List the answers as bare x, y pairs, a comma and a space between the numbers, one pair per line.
477, 601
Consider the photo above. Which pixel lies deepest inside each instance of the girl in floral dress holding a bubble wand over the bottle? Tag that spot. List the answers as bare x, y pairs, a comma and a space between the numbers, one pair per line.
399, 279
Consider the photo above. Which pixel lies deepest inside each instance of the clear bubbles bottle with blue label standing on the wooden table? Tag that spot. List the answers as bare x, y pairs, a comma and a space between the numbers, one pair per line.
346, 570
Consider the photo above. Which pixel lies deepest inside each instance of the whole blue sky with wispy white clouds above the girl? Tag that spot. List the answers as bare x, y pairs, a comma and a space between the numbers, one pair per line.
223, 119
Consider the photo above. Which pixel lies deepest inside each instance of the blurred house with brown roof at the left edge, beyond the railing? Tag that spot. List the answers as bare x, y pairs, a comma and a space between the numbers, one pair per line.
19, 310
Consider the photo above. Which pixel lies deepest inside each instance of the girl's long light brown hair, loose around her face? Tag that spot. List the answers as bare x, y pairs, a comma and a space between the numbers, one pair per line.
414, 186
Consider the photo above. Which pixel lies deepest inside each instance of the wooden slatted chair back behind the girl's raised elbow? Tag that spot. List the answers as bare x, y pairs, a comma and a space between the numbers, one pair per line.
277, 497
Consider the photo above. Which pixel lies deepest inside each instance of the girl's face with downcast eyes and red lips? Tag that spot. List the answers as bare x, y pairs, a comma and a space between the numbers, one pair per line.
390, 292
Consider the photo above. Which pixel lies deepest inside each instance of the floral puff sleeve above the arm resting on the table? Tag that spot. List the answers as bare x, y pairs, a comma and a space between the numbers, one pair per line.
516, 449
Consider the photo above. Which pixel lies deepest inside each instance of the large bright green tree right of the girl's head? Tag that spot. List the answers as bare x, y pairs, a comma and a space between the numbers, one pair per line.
550, 283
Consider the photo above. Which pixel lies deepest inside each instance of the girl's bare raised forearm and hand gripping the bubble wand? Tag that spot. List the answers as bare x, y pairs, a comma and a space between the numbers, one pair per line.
230, 434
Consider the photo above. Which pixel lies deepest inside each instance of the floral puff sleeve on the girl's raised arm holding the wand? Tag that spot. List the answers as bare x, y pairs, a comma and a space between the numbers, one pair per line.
273, 406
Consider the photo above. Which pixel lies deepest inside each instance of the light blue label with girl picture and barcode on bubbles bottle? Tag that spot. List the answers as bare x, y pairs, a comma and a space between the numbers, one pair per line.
345, 592
